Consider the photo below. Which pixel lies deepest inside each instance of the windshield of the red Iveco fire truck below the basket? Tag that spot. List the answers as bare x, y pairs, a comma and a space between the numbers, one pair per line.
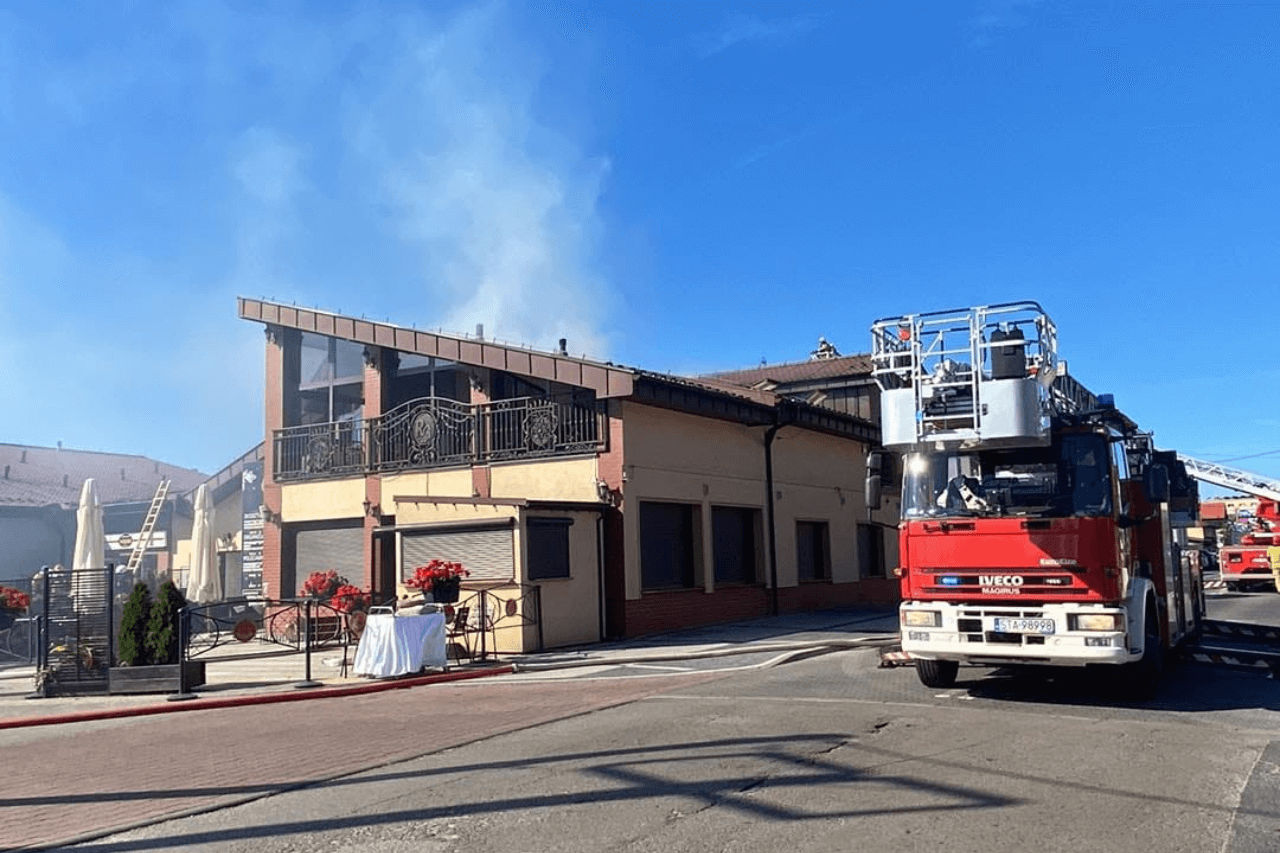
1069, 478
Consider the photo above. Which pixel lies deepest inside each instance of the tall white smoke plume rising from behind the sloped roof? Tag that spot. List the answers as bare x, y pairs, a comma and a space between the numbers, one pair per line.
501, 207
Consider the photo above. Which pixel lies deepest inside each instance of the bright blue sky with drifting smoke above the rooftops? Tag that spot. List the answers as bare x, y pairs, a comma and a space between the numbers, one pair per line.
682, 188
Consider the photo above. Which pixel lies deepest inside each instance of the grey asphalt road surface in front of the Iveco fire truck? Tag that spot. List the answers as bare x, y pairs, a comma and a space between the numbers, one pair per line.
825, 754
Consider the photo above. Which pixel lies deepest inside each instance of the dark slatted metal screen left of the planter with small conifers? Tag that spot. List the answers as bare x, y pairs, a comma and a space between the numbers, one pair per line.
77, 624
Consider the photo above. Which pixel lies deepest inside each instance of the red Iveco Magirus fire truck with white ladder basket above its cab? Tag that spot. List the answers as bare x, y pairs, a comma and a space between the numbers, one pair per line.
1040, 526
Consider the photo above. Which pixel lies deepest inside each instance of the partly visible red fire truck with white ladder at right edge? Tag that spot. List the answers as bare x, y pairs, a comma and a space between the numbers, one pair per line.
1246, 558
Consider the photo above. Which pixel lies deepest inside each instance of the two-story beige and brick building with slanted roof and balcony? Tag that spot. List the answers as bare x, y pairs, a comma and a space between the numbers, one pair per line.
589, 499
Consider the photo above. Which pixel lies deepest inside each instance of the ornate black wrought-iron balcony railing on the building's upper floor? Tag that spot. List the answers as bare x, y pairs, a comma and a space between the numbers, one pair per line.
435, 432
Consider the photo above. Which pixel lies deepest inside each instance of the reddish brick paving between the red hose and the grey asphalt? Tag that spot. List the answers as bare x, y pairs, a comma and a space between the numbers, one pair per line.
81, 781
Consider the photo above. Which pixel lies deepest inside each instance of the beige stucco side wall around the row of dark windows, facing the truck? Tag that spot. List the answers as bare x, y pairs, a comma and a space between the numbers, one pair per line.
673, 457
